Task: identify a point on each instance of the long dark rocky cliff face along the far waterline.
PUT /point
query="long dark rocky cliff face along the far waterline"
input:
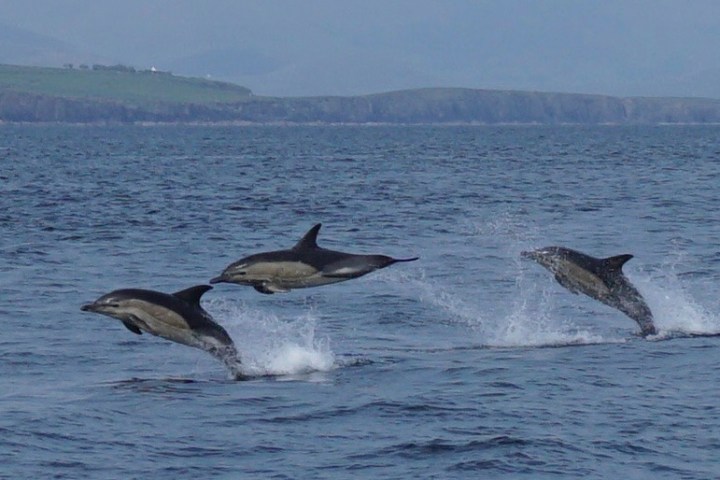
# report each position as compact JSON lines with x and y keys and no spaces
{"x":425,"y":106}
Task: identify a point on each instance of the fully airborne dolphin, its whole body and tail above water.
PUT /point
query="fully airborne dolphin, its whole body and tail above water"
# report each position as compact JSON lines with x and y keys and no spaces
{"x":304,"y":265}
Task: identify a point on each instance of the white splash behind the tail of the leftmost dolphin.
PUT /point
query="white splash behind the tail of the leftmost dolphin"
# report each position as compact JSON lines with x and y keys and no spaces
{"x":269,"y":345}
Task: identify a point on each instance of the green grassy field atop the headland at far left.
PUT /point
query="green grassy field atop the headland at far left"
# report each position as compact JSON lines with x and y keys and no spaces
{"x":118,"y":84}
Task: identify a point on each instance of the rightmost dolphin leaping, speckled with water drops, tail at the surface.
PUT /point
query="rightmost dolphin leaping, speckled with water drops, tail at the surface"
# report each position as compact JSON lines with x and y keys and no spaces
{"x":598,"y":278}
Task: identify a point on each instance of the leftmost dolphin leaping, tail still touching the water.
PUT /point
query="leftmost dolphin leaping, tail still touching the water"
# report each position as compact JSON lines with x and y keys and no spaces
{"x":177,"y":317}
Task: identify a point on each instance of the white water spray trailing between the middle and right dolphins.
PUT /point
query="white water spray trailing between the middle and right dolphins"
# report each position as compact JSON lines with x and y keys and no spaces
{"x":525,"y":314}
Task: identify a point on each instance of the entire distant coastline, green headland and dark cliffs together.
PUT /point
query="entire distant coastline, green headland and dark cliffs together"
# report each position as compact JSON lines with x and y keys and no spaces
{"x":120,"y":94}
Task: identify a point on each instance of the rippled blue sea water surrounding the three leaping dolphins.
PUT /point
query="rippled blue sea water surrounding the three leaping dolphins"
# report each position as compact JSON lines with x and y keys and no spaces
{"x":469,"y":363}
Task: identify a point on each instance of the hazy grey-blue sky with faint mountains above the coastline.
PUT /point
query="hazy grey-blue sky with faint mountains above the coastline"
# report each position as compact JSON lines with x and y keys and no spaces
{"x":349,"y":47}
